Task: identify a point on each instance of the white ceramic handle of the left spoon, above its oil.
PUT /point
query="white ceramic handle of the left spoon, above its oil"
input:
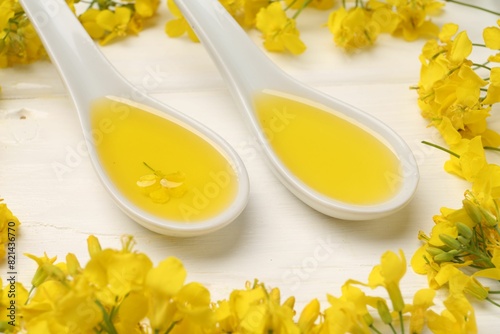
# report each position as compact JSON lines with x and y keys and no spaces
{"x":83,"y":68}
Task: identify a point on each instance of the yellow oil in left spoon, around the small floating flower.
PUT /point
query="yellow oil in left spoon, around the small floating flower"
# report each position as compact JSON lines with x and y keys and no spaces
{"x":129,"y":140}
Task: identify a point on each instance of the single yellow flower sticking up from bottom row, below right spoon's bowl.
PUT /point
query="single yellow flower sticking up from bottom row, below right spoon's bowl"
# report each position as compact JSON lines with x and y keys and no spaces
{"x":388,"y":274}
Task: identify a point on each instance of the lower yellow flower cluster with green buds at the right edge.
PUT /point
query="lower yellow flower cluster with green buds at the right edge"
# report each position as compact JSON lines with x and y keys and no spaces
{"x":468,"y":237}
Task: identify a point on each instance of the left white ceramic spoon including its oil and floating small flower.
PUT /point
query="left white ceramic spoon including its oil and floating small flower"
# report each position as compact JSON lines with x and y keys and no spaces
{"x":115,"y":118}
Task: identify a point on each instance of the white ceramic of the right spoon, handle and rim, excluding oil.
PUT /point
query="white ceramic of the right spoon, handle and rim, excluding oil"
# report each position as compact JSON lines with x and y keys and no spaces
{"x":249,"y":71}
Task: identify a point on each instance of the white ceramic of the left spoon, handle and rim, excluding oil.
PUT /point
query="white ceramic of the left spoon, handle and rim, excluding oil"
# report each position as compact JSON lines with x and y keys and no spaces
{"x":88,"y":77}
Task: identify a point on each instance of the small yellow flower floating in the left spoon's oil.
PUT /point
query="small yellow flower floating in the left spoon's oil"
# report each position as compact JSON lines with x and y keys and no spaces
{"x":161,"y":187}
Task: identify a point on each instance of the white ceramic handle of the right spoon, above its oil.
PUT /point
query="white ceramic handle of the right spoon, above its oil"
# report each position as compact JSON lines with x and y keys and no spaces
{"x":240,"y":60}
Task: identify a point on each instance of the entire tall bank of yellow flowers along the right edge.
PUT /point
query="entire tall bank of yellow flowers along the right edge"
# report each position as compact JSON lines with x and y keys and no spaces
{"x":456,"y":95}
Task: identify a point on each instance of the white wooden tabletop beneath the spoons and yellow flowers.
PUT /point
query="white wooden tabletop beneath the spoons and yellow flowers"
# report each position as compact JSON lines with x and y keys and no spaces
{"x":277,"y":239}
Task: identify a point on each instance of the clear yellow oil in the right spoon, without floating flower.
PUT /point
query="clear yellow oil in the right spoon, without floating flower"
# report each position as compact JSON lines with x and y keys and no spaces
{"x":329,"y":153}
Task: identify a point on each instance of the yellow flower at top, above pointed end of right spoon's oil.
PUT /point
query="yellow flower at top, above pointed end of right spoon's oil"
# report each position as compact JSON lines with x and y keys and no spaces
{"x":279,"y":31}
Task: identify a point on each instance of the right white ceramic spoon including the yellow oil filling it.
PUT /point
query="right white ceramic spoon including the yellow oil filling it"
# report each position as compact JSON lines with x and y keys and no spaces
{"x":250,"y":74}
